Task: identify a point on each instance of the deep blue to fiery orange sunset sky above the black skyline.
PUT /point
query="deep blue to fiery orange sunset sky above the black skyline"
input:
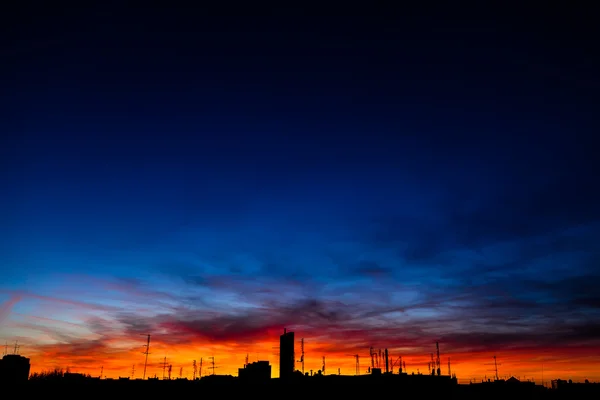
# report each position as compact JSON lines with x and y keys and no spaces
{"x":390,"y":179}
